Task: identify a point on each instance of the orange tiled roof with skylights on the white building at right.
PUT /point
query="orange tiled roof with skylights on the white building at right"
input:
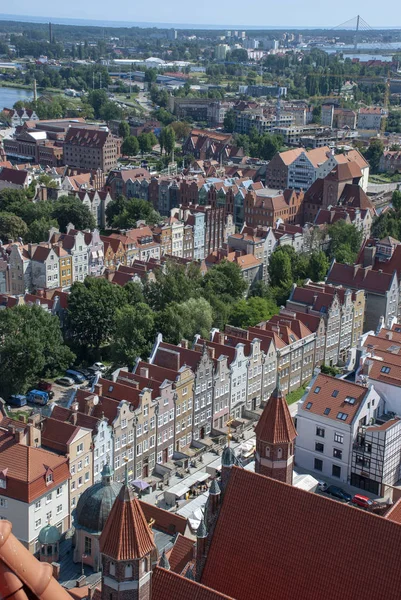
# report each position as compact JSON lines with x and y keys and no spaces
{"x":330,"y":397}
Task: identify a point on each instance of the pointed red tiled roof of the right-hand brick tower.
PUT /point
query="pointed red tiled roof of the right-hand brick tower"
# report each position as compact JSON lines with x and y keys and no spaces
{"x":275,"y":424}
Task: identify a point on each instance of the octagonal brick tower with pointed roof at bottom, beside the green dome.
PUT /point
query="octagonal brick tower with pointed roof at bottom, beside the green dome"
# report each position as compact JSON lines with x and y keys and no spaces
{"x":128,"y":550}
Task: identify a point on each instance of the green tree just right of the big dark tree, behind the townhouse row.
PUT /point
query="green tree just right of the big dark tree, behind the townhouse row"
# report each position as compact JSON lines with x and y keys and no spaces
{"x":134,"y":334}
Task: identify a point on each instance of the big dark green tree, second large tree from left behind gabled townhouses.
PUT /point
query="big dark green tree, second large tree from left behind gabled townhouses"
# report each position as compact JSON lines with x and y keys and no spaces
{"x":92,"y":306}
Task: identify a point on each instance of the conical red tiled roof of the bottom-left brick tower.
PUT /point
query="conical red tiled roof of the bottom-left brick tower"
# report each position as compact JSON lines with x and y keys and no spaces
{"x":126,"y":534}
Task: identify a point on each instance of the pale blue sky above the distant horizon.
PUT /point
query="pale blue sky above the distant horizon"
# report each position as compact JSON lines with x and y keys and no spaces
{"x":300,"y":13}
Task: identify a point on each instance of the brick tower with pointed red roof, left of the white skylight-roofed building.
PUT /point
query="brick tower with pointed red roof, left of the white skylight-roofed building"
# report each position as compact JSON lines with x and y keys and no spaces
{"x":275,"y":435}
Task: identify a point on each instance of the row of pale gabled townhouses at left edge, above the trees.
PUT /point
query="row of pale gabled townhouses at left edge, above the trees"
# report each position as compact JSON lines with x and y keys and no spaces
{"x":58,"y":263}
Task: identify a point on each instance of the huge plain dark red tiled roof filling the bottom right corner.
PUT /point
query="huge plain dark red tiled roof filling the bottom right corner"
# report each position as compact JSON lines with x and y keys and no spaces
{"x":274,"y":541}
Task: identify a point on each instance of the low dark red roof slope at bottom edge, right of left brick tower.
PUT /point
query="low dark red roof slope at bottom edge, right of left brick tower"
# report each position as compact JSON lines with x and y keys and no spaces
{"x":167,"y":585}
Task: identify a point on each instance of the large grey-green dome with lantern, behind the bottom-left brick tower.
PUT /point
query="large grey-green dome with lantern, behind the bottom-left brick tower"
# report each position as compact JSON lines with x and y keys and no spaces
{"x":95,"y":504}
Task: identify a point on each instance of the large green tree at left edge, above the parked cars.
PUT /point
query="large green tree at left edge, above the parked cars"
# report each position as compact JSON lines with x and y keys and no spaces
{"x":31,"y":346}
